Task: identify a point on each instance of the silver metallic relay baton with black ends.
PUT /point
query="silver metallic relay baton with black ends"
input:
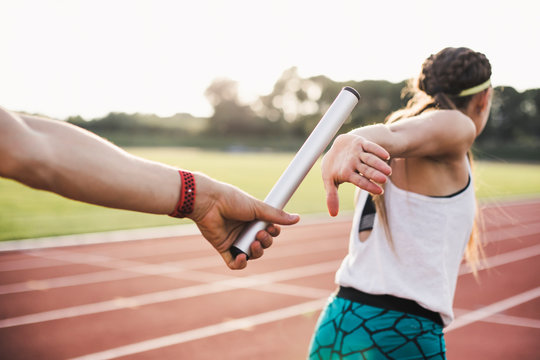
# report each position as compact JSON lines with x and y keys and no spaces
{"x":300,"y":165}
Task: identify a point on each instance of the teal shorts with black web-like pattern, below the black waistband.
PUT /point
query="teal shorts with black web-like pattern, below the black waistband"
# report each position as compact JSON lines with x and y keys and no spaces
{"x":351,"y":330}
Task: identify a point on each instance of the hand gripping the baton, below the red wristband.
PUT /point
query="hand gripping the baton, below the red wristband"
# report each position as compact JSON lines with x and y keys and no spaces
{"x":221,"y":212}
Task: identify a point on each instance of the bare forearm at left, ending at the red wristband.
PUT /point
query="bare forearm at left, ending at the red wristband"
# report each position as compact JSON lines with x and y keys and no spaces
{"x":65,"y":159}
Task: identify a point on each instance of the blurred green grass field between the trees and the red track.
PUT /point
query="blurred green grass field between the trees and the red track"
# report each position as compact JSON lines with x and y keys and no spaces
{"x":28,"y":213}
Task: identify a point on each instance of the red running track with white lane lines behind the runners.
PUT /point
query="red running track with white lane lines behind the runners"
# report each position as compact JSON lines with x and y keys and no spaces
{"x":172,"y":298}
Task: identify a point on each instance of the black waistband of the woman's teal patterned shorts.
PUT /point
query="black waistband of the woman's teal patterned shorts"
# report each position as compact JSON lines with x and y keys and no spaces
{"x":389,"y":302}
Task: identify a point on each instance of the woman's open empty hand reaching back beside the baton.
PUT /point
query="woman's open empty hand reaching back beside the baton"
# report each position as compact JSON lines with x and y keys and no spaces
{"x":356,"y":160}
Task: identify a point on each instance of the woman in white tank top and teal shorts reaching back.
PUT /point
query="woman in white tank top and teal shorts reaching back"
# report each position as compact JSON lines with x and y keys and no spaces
{"x":397,"y":283}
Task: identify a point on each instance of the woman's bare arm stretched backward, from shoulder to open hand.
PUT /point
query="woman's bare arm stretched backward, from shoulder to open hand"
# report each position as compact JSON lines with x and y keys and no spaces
{"x":359,"y":156}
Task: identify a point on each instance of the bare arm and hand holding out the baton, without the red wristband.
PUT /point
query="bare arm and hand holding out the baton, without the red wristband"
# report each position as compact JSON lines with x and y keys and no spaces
{"x":72,"y":162}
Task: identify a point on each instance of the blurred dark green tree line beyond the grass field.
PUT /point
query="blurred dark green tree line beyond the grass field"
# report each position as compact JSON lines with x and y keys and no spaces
{"x":286,"y":116}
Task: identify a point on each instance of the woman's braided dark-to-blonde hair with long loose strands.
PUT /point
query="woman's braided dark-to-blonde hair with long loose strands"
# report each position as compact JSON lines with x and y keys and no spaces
{"x":443,"y":76}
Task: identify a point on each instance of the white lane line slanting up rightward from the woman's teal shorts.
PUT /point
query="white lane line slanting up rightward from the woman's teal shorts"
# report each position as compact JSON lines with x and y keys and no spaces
{"x":487,"y":311}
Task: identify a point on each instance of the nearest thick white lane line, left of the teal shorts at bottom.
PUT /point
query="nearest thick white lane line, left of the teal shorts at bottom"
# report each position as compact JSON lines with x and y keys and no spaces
{"x":207,"y":331}
